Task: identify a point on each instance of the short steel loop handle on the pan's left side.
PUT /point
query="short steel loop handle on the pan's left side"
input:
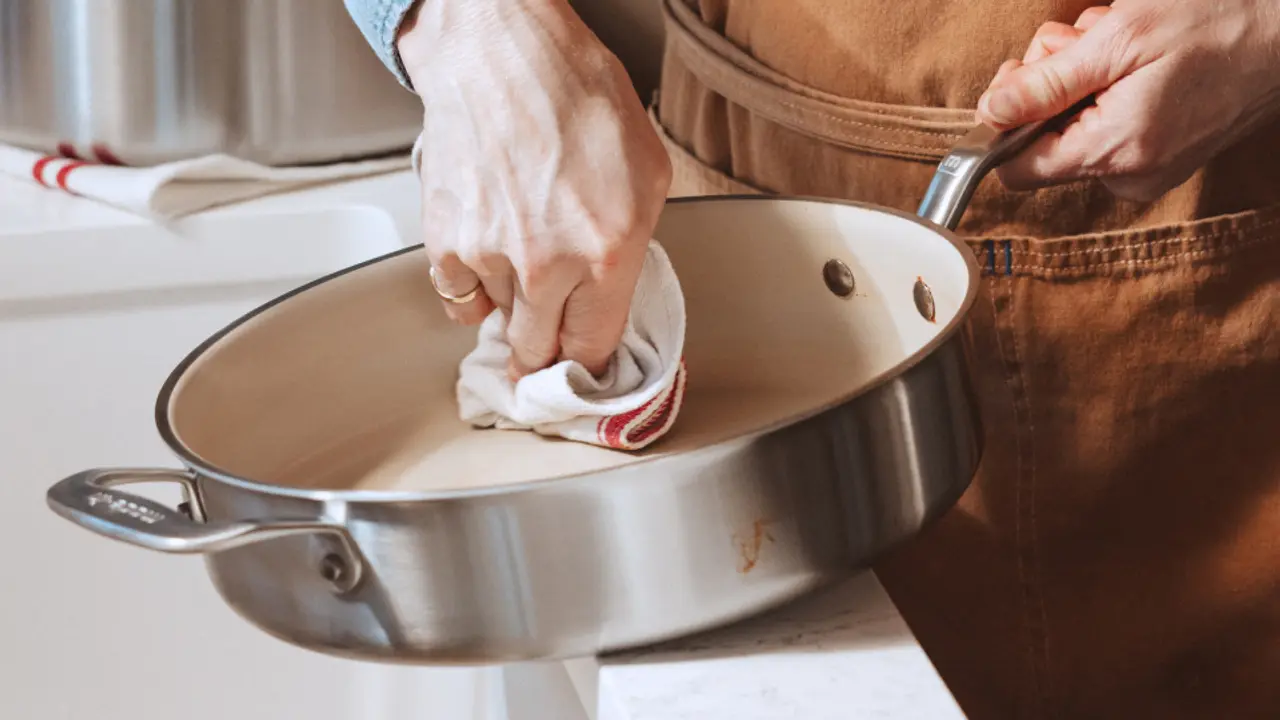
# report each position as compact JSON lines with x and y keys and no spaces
{"x":92,"y":500}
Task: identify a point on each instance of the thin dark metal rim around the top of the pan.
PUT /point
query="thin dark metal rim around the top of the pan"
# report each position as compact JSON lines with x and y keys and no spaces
{"x":198,"y":464}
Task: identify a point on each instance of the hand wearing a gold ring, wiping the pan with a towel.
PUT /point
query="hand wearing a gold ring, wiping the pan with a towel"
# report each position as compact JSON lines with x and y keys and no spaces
{"x":542,"y":177}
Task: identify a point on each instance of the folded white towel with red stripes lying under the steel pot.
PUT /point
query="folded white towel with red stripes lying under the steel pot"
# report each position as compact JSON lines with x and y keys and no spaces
{"x":182,"y":188}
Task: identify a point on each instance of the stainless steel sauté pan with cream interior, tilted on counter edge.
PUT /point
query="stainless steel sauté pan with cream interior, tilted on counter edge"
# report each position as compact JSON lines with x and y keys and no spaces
{"x":829,"y":417}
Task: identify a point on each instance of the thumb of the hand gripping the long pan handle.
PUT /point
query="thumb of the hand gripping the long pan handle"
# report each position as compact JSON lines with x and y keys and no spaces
{"x":1041,"y":90}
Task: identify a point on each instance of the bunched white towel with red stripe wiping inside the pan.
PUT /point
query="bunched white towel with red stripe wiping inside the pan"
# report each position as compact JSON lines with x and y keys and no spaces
{"x":634,"y":404}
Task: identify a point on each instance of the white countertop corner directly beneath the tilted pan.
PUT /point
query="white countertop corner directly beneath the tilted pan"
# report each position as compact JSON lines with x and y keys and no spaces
{"x":842,"y":654}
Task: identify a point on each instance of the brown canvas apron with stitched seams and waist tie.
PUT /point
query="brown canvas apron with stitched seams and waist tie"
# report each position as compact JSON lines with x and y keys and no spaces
{"x":1119,"y":553}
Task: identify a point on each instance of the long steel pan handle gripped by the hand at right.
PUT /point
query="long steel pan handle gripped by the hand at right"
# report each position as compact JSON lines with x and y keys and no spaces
{"x":977,"y":154}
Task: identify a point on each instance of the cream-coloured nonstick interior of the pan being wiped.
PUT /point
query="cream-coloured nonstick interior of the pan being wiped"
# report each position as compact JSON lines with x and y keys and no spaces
{"x":350,"y":385}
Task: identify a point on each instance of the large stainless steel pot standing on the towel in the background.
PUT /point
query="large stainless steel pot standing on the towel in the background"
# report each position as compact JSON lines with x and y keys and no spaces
{"x":149,"y":81}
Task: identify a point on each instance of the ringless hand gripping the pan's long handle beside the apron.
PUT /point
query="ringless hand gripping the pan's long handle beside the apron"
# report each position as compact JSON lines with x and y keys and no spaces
{"x":1174,"y":84}
